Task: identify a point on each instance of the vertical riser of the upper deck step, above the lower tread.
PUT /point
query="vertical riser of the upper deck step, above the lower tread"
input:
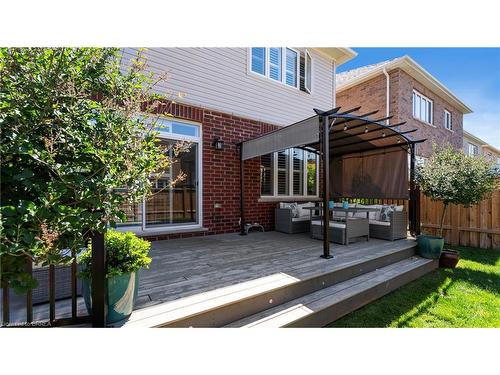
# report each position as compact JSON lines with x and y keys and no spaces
{"x":252,"y":305}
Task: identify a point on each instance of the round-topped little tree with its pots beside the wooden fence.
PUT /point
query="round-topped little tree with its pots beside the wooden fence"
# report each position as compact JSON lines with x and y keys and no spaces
{"x":452,"y":177}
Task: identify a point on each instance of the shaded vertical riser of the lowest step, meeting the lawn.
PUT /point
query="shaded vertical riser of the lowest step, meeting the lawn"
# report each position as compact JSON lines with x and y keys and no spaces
{"x":344,"y":307}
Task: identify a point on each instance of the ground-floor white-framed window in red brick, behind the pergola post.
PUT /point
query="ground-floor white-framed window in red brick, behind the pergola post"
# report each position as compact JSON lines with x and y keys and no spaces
{"x":292,"y":172}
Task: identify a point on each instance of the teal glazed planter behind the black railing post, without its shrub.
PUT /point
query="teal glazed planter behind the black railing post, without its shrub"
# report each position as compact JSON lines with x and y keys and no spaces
{"x":121,"y":296}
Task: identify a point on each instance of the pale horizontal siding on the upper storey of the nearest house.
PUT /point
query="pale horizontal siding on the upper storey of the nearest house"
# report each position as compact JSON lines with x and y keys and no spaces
{"x":221,"y":79}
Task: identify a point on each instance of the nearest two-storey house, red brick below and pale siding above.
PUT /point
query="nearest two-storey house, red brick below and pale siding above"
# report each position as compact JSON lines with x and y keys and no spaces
{"x":224,"y":96}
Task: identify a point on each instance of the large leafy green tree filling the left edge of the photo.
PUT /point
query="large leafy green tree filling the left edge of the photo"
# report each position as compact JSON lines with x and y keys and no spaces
{"x":76,"y":145}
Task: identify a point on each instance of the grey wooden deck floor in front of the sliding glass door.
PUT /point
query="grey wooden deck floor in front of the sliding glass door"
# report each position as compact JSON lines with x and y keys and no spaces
{"x":187,"y":267}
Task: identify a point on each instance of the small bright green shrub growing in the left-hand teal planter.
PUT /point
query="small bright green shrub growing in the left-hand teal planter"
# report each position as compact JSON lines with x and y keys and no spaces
{"x":125,"y":253}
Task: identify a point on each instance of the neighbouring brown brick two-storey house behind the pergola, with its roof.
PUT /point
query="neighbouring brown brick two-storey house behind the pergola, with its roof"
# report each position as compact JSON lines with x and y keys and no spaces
{"x":403,"y":89}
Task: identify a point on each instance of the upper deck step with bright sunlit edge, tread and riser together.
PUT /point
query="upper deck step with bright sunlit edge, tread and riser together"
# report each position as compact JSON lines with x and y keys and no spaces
{"x":222,"y":306}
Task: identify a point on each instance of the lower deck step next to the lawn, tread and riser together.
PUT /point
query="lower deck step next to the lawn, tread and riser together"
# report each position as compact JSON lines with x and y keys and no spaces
{"x":329,"y":304}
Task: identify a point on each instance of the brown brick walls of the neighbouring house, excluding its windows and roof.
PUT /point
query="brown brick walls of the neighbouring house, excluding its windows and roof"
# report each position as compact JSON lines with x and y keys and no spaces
{"x":370,"y":95}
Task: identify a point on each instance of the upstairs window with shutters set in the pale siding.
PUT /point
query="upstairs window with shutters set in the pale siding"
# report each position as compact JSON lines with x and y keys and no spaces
{"x":285,"y":65}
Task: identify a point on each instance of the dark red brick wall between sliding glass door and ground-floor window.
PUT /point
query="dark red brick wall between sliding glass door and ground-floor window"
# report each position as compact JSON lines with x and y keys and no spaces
{"x":221,"y":172}
